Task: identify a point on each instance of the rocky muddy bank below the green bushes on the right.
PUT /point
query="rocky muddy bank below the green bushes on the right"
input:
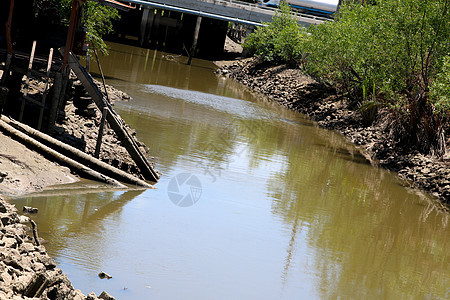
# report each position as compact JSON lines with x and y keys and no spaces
{"x":292,"y":89}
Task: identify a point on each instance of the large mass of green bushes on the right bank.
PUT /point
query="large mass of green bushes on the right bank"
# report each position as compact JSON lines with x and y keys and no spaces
{"x":395,"y":46}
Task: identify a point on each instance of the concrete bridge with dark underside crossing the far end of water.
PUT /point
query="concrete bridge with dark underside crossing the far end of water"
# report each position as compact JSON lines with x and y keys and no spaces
{"x":193,"y":27}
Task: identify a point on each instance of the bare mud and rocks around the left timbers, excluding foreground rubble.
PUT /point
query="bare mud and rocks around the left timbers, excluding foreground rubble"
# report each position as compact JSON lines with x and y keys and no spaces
{"x":23,"y":171}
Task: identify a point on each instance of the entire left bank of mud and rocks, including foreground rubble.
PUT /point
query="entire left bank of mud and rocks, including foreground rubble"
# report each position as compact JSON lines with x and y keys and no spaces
{"x":26,"y":270}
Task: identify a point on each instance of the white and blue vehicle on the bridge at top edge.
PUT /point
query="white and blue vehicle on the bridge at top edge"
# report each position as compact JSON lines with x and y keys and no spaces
{"x":324,"y":8}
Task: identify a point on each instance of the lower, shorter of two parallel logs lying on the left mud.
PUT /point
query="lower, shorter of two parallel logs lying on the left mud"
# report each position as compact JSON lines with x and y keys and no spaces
{"x":64,"y":160}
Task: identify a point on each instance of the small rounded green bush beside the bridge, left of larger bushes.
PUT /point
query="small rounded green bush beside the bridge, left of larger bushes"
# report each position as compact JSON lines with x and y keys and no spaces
{"x":278,"y":41}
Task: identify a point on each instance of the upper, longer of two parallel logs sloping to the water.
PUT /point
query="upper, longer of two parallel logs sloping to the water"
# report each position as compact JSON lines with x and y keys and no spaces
{"x":77,"y":155}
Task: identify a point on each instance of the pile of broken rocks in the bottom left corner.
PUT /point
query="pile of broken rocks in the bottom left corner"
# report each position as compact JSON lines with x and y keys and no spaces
{"x":26,"y":270}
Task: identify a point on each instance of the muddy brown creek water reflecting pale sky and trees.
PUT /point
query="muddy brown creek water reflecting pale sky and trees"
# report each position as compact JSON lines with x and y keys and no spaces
{"x":255,"y":202}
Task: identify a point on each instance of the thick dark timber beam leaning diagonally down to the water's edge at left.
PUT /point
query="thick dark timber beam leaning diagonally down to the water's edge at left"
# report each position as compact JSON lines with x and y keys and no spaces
{"x":113,"y":119}
